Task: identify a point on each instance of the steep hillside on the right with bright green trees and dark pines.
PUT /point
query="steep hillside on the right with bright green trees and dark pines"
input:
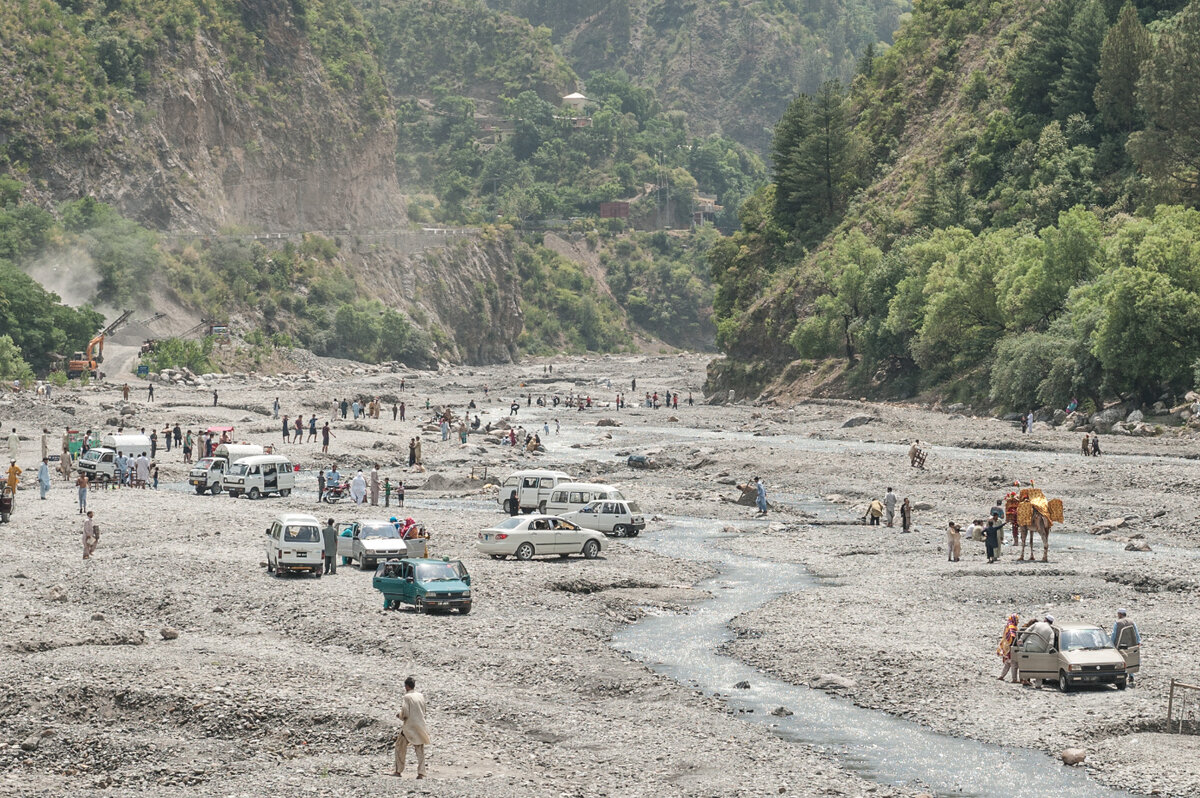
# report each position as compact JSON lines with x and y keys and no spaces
{"x":1001,"y":209}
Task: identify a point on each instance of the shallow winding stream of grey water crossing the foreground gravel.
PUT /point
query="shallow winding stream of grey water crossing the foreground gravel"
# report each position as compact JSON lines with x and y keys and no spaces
{"x":874,"y":745}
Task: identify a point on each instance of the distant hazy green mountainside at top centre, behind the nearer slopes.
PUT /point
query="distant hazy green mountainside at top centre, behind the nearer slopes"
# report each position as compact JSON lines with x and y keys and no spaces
{"x":731,"y":67}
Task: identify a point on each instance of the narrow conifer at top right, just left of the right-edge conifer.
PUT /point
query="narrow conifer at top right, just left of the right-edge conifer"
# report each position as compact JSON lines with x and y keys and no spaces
{"x":1126,"y":49}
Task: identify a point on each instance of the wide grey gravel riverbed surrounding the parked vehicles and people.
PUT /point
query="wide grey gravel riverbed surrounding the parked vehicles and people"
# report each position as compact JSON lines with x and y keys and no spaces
{"x":172,"y":664}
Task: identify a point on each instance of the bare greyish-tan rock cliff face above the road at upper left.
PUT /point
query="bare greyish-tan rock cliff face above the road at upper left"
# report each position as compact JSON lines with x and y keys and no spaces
{"x":203,"y":153}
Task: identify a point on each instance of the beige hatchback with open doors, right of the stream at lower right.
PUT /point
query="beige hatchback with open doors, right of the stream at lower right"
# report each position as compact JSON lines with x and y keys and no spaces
{"x":1079,"y":655}
